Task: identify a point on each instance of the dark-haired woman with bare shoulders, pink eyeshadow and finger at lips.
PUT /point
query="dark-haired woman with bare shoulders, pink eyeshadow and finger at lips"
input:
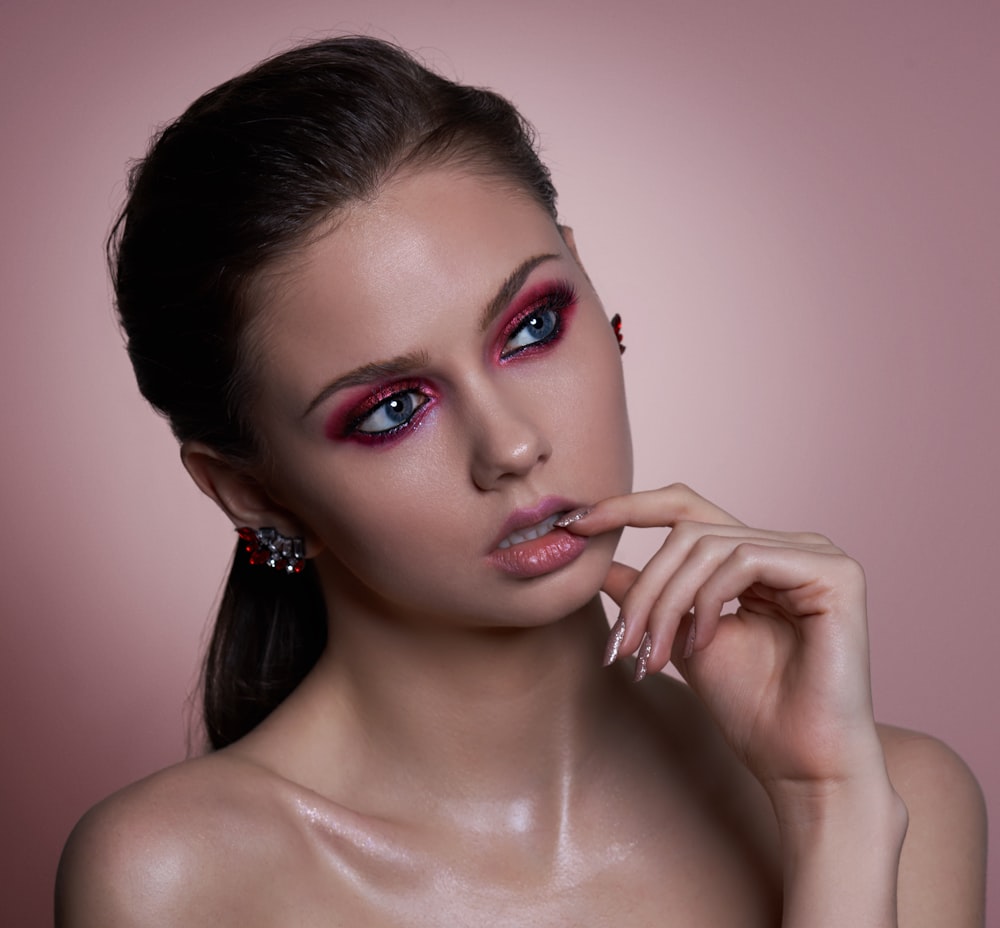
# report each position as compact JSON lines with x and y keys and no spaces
{"x":343,"y":282}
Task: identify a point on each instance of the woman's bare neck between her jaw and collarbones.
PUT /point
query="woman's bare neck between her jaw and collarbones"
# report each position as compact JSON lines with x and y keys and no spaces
{"x":475,"y":716}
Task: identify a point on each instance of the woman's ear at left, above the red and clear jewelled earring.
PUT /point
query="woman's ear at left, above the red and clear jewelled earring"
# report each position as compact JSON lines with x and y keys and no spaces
{"x":238,"y":493}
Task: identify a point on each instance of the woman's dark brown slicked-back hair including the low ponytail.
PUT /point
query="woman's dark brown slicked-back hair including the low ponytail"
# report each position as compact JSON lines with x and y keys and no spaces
{"x":239,"y":181}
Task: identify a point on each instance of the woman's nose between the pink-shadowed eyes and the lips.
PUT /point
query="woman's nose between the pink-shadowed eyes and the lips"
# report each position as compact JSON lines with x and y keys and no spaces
{"x":507,"y":442}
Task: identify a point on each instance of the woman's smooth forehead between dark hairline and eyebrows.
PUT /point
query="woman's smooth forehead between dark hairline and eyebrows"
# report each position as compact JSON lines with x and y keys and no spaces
{"x":434,"y":240}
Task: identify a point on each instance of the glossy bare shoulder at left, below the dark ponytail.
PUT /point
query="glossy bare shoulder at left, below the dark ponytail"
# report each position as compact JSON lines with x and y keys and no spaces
{"x":161,"y":851}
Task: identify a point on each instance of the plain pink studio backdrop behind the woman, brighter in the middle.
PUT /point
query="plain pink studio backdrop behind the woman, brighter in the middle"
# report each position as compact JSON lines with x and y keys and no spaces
{"x":796,"y":207}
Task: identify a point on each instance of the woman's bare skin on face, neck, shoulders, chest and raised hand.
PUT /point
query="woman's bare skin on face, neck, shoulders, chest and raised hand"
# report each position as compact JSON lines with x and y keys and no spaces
{"x":459,"y":755}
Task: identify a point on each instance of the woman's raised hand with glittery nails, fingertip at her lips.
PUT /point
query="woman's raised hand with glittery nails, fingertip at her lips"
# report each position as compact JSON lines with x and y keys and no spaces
{"x":786,"y":675}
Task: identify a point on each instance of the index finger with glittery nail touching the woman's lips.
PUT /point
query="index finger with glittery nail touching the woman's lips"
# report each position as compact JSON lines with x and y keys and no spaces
{"x":664,"y":507}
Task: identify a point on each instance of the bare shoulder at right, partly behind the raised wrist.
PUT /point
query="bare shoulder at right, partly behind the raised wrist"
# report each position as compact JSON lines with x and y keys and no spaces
{"x":943,"y":866}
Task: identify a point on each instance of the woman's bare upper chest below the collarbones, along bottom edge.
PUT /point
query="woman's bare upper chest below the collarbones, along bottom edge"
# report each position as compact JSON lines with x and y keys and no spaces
{"x":680,"y":875}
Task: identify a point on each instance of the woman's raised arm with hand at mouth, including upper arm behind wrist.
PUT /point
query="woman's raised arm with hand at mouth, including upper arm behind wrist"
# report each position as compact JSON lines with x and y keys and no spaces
{"x":786,"y":678}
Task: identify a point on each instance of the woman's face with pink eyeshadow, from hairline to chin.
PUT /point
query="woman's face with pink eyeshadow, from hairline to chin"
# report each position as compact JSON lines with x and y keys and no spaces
{"x":438,"y":383}
